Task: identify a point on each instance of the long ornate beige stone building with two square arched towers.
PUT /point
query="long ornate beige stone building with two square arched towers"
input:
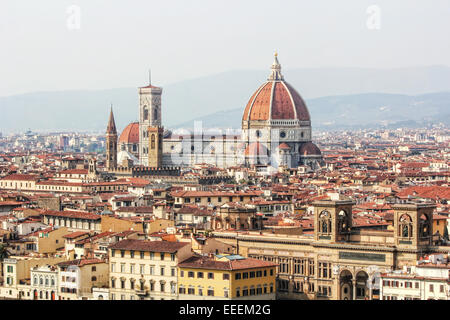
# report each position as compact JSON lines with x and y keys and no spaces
{"x":337,"y":261}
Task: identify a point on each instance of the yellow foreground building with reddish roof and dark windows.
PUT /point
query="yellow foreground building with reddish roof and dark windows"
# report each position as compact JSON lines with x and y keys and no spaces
{"x":226,"y":277}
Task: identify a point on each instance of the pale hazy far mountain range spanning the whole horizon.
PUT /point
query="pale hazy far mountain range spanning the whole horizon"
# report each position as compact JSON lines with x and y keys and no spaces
{"x":228,"y":91}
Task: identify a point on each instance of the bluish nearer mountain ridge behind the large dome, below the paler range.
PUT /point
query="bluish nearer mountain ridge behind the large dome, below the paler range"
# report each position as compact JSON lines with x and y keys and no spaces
{"x":356,"y":111}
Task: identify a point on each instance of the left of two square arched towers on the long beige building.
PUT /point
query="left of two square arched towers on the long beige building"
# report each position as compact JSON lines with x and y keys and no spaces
{"x":332,"y":220}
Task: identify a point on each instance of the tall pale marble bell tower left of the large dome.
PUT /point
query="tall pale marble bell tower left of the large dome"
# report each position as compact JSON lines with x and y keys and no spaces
{"x":149,"y":116}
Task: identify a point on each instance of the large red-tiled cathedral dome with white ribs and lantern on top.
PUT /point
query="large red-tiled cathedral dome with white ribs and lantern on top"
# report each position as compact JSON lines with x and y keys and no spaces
{"x":276,"y":100}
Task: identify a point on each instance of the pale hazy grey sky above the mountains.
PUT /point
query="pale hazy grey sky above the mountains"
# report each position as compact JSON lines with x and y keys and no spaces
{"x":42,"y":48}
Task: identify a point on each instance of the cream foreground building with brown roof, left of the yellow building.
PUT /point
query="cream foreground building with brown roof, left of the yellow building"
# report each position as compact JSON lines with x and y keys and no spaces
{"x":145,"y":270}
